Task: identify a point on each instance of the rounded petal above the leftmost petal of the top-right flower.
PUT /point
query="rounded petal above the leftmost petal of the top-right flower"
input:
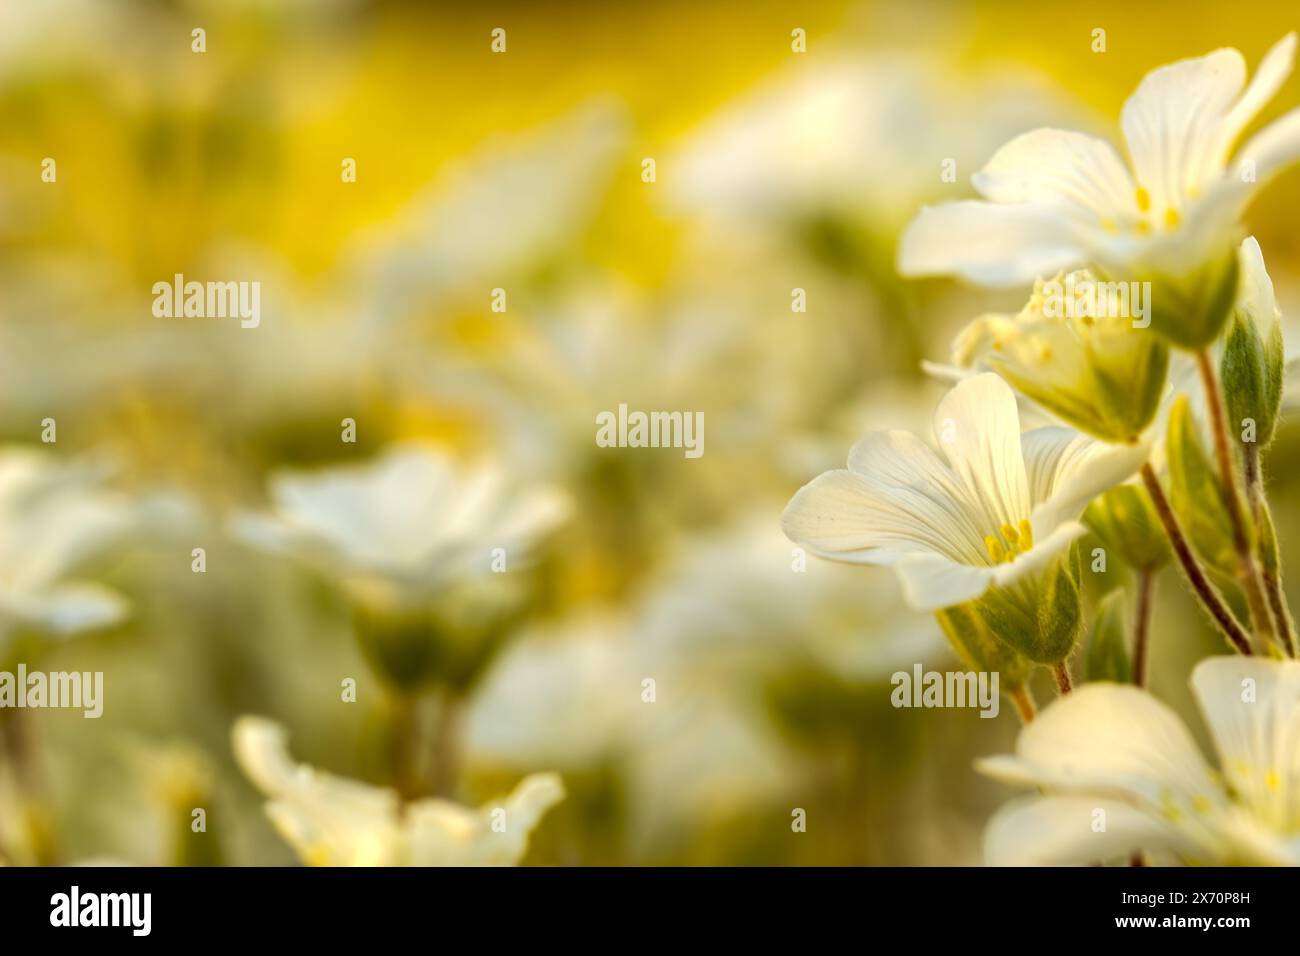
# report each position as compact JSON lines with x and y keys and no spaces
{"x":1063,"y":168}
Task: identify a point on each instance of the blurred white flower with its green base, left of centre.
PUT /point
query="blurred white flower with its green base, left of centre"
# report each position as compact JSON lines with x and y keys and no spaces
{"x":427,"y":552}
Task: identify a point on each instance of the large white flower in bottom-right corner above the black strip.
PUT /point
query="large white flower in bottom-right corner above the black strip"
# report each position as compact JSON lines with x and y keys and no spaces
{"x":1115,"y":755}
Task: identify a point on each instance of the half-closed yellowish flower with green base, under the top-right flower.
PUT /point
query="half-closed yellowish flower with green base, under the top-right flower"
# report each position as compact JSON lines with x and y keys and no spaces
{"x":1076,"y":354}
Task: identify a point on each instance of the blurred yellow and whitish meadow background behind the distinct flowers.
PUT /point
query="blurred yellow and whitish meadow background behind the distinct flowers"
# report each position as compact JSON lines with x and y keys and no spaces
{"x":525,"y":171}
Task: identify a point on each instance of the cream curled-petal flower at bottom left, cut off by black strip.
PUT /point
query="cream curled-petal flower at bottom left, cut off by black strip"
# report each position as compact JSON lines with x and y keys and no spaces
{"x":331,"y":821}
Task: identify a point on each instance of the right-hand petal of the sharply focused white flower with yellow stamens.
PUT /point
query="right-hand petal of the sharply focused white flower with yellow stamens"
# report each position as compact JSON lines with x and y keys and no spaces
{"x":1068,"y":470}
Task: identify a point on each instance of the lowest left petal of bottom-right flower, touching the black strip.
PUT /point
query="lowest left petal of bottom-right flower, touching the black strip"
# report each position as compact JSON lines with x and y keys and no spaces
{"x":1063,"y":830}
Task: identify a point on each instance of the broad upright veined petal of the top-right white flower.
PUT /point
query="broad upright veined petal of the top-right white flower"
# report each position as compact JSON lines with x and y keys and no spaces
{"x":1172,"y":124}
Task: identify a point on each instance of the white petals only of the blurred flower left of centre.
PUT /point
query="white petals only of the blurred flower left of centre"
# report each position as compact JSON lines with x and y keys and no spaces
{"x":413,"y":521}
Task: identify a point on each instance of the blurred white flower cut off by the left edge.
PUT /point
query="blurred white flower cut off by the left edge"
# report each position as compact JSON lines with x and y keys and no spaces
{"x":53,"y":518}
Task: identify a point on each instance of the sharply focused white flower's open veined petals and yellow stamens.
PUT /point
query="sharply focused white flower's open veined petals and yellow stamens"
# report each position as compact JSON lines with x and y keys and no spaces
{"x":1002,"y":507}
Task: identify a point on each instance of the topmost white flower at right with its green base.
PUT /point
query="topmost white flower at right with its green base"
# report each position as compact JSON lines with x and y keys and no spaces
{"x":1060,"y":201}
